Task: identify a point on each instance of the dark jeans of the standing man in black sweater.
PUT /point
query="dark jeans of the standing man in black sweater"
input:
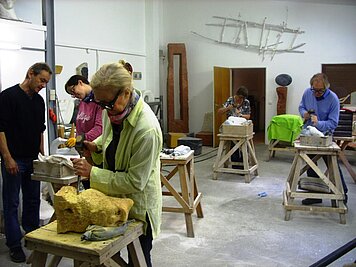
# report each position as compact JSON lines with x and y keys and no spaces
{"x":30,"y":201}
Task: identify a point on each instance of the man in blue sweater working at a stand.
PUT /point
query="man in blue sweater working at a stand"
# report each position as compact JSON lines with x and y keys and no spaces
{"x":325,"y":106}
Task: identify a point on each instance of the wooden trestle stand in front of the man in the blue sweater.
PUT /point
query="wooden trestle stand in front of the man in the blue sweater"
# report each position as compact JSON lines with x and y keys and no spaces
{"x":332,"y":181}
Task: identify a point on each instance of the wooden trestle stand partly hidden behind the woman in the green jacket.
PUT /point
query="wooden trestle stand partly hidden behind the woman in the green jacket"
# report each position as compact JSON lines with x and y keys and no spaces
{"x":189,"y":198}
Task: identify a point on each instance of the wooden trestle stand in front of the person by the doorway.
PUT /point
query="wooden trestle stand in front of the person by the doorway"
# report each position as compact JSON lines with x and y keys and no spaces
{"x":245,"y":144}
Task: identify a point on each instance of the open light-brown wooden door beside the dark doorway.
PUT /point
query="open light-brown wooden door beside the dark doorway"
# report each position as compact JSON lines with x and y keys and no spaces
{"x":222,"y":90}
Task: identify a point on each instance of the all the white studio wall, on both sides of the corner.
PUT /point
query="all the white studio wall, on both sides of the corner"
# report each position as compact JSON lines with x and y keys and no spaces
{"x":136,"y":29}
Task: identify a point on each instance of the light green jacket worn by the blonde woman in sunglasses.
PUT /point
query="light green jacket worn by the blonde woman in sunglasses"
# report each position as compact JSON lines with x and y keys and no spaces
{"x":137,"y":164}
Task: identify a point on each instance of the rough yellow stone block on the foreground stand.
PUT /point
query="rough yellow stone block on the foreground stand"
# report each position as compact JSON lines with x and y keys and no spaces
{"x":74,"y":212}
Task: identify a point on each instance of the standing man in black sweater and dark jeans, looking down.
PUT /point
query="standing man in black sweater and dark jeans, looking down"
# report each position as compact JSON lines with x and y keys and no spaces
{"x":22,"y":123}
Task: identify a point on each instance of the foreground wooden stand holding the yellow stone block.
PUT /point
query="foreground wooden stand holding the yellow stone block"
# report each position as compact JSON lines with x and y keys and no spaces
{"x":46,"y":240}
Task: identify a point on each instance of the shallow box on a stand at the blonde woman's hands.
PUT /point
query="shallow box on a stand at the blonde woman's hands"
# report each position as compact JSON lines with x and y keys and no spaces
{"x":51,"y":169}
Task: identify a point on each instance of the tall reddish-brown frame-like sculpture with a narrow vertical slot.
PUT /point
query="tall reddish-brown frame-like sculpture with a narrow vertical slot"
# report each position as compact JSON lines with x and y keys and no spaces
{"x":181,"y":124}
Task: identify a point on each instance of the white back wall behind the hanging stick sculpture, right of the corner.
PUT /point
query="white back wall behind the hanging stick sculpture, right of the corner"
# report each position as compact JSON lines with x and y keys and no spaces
{"x":330,"y":37}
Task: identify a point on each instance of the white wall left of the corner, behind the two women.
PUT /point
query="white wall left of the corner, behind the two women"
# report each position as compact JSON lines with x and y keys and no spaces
{"x":96,"y":32}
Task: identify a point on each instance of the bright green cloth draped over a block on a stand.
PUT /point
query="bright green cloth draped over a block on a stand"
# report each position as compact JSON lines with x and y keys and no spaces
{"x":286,"y":127}
